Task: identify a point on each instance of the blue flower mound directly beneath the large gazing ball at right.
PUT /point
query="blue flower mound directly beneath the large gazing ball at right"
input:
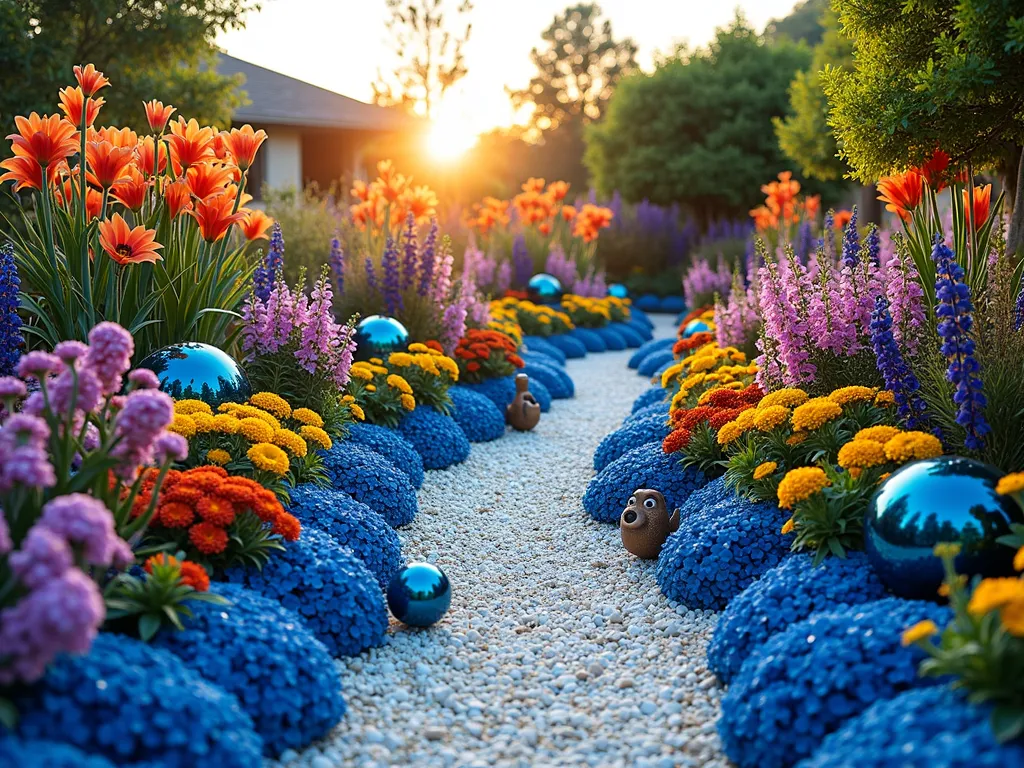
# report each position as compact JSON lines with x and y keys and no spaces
{"x":789,"y":593}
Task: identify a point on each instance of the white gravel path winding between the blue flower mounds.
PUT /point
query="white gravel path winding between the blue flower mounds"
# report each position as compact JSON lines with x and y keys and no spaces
{"x":559,"y":650}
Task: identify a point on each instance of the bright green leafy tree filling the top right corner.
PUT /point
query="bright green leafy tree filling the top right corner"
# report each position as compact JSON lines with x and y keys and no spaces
{"x":928,"y":75}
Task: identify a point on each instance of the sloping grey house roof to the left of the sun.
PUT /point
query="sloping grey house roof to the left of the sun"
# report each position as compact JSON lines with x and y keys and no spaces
{"x":279,"y":100}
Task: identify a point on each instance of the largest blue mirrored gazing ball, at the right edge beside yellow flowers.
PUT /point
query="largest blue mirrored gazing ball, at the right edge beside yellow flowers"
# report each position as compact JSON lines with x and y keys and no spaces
{"x":947,"y":499}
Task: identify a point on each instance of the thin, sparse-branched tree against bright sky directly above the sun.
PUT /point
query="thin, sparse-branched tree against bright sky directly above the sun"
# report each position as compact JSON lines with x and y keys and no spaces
{"x":431,"y":58}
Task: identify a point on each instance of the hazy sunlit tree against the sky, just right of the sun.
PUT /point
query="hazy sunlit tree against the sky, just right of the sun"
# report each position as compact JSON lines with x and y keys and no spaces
{"x":578,"y":72}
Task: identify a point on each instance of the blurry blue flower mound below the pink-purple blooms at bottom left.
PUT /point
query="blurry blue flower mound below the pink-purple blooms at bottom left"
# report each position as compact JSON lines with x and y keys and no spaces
{"x":132,"y":704}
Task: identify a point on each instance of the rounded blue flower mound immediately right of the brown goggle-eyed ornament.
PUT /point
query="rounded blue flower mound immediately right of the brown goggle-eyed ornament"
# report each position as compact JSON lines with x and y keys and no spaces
{"x":720,"y":550}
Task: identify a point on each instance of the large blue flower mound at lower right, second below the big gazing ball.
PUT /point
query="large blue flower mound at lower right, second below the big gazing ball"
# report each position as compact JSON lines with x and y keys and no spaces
{"x":809,"y":679}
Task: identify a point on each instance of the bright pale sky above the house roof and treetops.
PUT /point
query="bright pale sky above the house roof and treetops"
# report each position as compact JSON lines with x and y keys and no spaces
{"x":340,"y":45}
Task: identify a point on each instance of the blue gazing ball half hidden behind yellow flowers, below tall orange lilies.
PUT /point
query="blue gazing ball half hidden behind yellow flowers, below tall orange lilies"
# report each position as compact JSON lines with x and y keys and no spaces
{"x":200,"y":372}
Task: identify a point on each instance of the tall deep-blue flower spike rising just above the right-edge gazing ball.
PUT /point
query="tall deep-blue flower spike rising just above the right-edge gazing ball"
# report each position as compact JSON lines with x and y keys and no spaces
{"x":954,"y":310}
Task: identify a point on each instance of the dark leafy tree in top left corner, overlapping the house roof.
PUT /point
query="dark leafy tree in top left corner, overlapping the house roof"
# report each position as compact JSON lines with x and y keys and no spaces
{"x":149,"y":49}
